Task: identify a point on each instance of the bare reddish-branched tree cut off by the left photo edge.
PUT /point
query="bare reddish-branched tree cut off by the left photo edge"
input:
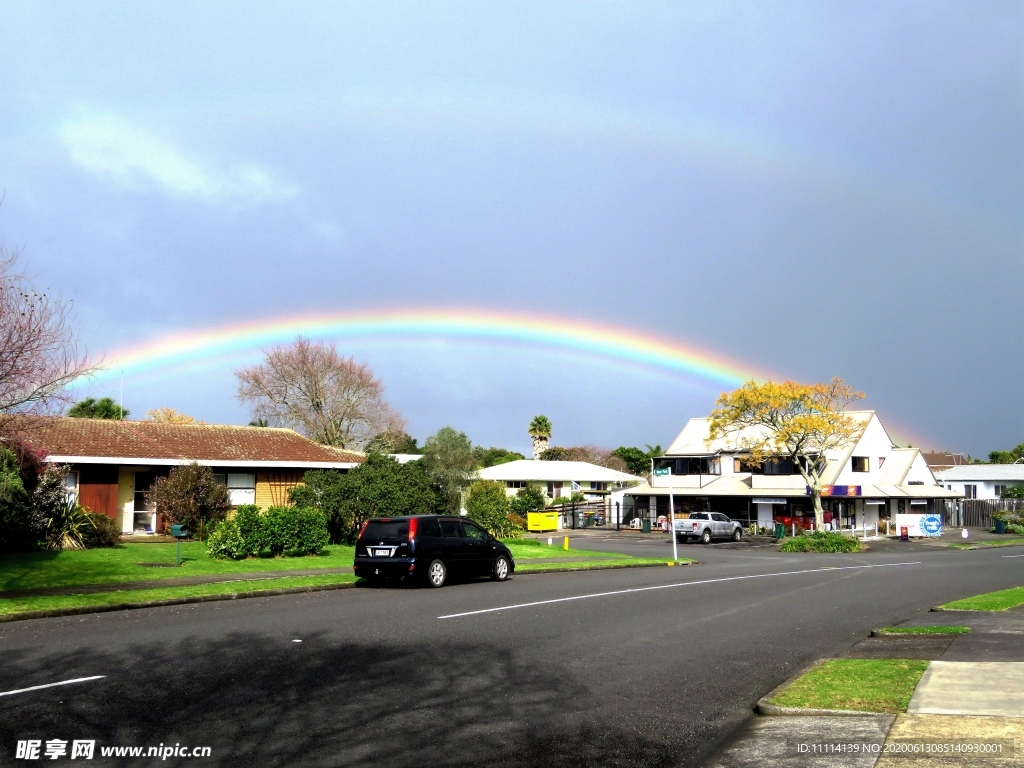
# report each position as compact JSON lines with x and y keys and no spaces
{"x":39,"y":347}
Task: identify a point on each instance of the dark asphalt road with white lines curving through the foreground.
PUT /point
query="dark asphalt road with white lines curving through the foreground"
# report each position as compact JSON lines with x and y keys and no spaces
{"x":657,"y":673}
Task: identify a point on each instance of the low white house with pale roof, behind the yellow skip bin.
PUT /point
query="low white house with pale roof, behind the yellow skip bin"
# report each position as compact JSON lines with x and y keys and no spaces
{"x":559,"y":480}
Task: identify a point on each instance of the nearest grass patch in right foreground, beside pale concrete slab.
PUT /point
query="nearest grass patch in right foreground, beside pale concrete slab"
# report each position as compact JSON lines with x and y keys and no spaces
{"x":857,"y":685}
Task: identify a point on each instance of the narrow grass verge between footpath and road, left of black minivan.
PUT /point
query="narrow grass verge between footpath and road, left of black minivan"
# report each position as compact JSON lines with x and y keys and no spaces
{"x":49,"y":603}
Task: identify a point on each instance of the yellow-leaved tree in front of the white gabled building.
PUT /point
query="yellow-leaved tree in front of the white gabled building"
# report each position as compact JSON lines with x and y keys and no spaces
{"x":800,"y":422}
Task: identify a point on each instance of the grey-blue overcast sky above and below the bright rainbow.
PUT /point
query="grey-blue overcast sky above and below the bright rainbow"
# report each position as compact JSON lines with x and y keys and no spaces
{"x":816,"y":190}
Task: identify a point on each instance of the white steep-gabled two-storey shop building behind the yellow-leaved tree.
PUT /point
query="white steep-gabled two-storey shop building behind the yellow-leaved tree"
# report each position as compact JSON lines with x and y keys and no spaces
{"x":867,"y":483}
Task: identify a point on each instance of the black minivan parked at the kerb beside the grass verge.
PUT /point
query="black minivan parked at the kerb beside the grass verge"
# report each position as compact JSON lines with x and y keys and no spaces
{"x":430,"y":548}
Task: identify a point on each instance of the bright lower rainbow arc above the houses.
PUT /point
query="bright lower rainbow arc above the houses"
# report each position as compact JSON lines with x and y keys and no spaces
{"x":615,"y":345}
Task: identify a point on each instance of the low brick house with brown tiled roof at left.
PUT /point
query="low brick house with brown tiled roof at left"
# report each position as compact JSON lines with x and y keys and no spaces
{"x":114,"y":463}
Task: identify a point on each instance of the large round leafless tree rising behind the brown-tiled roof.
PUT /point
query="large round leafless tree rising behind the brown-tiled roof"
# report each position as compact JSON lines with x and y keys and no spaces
{"x":313,"y":390}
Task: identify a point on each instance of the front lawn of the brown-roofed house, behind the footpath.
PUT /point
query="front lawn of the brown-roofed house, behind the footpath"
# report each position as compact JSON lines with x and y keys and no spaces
{"x":22,"y":571}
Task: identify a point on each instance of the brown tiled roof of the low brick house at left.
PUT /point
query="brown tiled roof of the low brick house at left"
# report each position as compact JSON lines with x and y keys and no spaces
{"x":60,"y":436}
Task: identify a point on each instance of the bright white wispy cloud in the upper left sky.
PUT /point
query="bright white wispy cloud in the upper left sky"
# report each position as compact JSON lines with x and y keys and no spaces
{"x":136,"y":158}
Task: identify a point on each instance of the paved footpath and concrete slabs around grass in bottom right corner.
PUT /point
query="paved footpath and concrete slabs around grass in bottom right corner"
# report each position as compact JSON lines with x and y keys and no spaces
{"x":972,"y":694}
